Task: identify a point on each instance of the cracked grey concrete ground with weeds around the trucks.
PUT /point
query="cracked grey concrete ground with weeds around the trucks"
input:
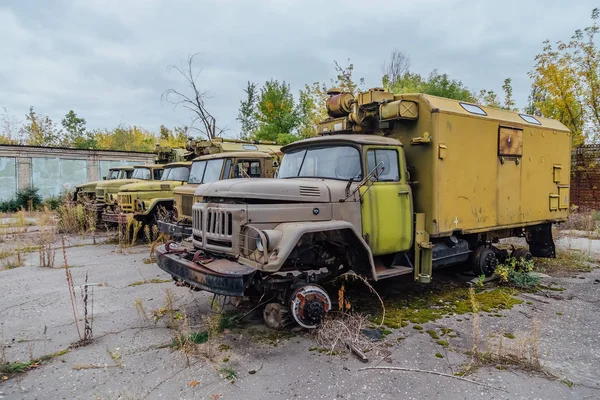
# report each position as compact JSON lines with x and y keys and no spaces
{"x":36,"y":319}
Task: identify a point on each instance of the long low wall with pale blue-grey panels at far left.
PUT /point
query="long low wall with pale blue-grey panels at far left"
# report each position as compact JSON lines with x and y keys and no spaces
{"x":53,"y":169}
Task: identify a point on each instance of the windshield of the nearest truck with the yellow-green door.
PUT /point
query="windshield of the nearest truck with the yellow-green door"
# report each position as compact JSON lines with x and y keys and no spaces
{"x":331,"y":162}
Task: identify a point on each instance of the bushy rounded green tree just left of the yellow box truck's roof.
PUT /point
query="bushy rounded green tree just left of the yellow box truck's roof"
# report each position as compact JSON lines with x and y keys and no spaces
{"x":276,"y":112}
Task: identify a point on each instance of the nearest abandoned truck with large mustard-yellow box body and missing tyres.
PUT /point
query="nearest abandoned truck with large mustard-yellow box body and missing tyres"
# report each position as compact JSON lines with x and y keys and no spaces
{"x":395,"y":184}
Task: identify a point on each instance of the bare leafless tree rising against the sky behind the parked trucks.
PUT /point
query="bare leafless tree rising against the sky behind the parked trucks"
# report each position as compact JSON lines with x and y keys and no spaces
{"x":195,"y":101}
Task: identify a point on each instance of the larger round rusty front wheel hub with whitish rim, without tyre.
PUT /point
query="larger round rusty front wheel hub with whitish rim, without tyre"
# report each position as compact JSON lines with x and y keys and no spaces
{"x":309,"y":304}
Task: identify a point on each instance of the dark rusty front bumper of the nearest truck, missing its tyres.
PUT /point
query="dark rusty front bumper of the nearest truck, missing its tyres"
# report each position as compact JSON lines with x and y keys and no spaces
{"x":219,"y":276}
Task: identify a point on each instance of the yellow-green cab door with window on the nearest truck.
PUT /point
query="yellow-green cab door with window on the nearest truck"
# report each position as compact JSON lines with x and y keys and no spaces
{"x":387,"y":202}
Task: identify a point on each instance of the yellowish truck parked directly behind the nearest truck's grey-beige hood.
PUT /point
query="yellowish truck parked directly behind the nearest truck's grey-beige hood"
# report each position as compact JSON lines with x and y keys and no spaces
{"x":207,"y":169}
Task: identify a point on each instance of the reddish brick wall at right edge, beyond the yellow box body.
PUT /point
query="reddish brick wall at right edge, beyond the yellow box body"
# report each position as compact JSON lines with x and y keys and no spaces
{"x":585,"y":176}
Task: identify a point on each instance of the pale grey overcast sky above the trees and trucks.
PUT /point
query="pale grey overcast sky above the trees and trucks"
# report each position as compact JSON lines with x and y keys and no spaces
{"x":108,"y":59}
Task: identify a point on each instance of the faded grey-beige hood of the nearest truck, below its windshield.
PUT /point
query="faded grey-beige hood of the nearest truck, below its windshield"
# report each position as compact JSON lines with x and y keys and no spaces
{"x":297,"y":190}
